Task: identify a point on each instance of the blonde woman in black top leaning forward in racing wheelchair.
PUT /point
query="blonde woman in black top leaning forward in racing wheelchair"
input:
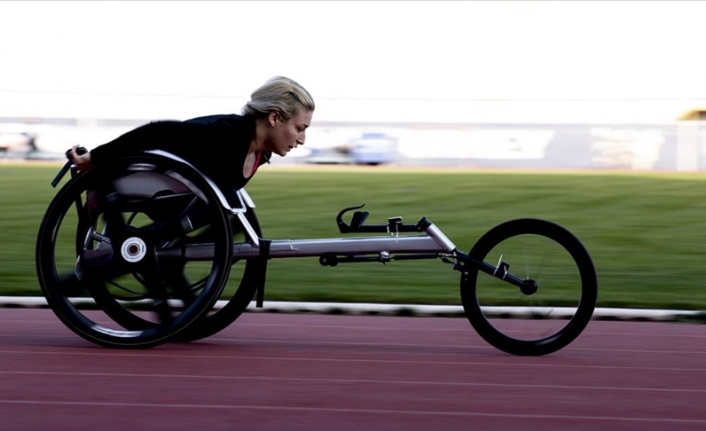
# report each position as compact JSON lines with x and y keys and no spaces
{"x":227,"y":148}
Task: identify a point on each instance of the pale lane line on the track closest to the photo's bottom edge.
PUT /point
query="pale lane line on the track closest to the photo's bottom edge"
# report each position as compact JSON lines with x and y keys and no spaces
{"x":358,"y":411}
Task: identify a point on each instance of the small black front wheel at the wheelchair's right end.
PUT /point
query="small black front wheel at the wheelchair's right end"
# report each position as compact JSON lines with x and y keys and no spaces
{"x":555,"y":303}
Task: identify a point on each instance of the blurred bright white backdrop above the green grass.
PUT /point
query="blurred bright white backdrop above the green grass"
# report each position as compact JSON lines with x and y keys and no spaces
{"x":615,"y":85}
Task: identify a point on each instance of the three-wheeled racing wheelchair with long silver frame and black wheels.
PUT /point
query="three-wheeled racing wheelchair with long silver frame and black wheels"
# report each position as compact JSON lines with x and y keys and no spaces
{"x":138,"y":253}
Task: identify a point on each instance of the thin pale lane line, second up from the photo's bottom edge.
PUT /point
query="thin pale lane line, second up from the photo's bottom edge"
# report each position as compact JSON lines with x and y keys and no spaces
{"x":357,"y":381}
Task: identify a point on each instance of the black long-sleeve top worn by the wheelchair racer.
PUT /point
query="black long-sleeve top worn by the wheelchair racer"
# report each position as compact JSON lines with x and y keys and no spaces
{"x":217,"y":145}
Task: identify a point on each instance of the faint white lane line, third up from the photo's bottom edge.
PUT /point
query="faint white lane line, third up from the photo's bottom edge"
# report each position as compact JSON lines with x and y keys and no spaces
{"x":53,"y":355}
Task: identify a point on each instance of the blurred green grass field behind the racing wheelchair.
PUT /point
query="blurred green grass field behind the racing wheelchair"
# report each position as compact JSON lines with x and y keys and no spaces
{"x":645,"y":232}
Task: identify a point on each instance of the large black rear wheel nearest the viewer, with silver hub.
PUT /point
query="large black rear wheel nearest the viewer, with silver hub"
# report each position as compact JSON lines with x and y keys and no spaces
{"x":106,"y":247}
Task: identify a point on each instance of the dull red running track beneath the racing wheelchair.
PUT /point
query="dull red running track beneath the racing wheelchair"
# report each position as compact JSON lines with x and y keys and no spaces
{"x":325,"y":372}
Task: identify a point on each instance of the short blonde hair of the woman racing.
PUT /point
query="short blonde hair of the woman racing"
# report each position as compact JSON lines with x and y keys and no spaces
{"x":279,"y":94}
